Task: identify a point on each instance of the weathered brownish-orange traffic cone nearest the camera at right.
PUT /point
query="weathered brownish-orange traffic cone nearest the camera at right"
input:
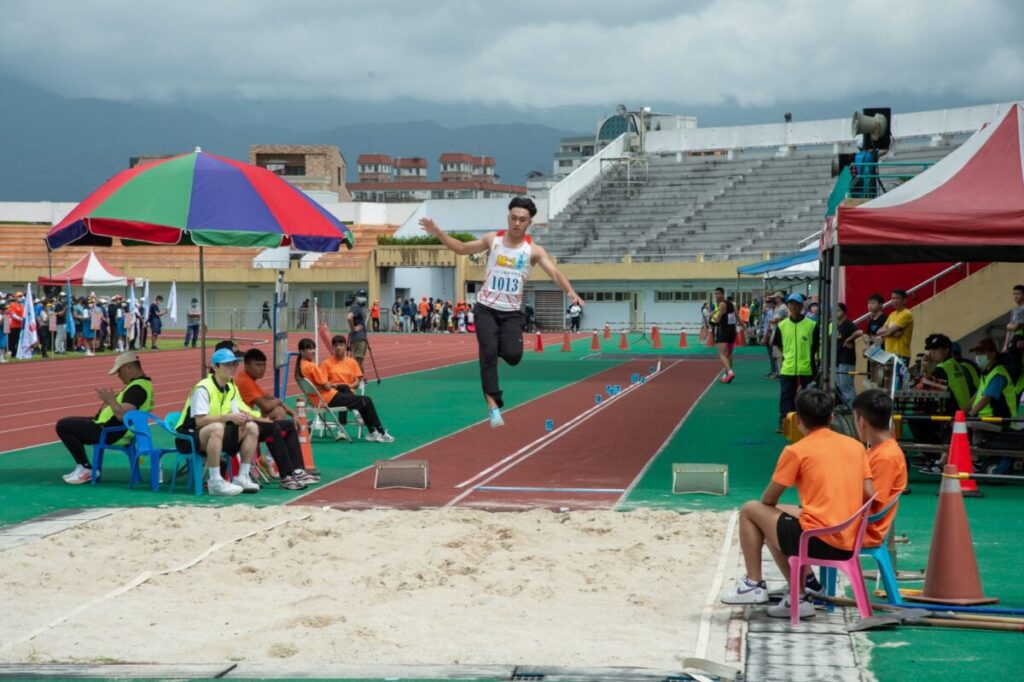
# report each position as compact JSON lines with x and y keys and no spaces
{"x":952,"y":577}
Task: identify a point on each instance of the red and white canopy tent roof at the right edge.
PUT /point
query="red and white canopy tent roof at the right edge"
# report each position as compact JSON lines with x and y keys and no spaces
{"x":968,"y":207}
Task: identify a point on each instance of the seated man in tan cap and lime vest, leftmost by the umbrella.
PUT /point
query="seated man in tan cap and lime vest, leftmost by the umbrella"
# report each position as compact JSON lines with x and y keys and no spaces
{"x":76,"y":433}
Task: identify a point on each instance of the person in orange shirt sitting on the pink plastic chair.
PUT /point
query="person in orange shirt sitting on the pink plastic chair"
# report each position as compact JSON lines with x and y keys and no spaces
{"x":833,"y":479}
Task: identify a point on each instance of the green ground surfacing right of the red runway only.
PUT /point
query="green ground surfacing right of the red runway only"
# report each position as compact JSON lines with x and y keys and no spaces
{"x":735,"y":424}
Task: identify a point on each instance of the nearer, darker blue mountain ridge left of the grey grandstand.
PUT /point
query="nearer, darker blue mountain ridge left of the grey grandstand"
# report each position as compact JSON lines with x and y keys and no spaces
{"x":60,"y":149}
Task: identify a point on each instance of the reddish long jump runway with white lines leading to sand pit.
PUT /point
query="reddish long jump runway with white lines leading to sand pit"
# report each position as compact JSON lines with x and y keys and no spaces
{"x":606,"y":449}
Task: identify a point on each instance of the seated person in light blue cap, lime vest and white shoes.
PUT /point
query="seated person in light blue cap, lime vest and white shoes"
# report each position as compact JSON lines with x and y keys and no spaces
{"x":220,"y":421}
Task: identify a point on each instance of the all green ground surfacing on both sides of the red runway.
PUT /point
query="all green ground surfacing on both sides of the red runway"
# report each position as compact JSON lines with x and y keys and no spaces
{"x":734,"y":424}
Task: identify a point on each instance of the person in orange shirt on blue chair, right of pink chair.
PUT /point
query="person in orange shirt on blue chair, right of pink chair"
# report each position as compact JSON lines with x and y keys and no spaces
{"x":873,"y":412}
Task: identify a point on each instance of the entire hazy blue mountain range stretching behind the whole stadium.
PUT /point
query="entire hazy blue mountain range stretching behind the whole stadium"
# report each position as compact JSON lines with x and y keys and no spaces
{"x":60,"y":149}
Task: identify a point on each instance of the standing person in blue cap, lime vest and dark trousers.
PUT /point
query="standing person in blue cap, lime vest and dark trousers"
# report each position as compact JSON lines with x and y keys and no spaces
{"x":798,"y":338}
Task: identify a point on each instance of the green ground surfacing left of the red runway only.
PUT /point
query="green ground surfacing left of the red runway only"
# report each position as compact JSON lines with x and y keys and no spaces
{"x":417,"y":409}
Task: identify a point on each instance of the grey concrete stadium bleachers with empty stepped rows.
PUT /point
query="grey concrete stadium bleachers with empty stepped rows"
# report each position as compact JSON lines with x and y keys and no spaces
{"x":703,"y":208}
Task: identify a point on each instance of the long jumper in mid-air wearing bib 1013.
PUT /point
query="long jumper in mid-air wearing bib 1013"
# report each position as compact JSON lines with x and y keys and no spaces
{"x":498,"y":313}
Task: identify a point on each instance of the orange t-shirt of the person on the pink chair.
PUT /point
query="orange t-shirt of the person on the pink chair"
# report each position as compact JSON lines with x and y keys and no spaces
{"x":829,"y":471}
